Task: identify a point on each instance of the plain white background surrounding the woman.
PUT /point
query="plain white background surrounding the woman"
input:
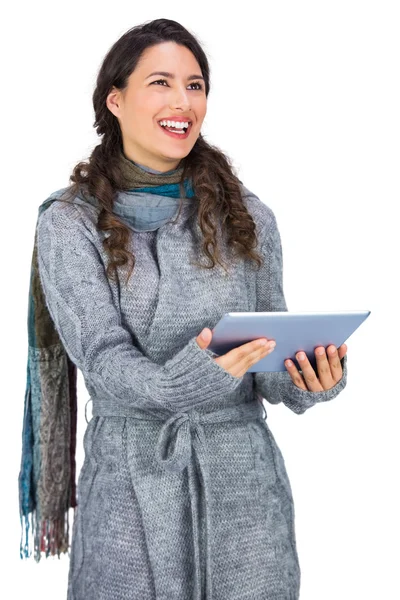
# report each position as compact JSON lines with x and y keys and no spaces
{"x":305,"y":101}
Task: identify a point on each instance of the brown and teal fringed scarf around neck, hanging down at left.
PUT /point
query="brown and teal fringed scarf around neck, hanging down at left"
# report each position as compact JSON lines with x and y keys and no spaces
{"x":47,"y":478}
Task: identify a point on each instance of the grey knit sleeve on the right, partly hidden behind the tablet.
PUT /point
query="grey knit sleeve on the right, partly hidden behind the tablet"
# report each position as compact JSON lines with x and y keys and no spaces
{"x":278,"y":386}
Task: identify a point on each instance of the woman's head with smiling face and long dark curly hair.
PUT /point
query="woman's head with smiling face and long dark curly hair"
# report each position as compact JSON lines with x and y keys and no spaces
{"x":158,"y":72}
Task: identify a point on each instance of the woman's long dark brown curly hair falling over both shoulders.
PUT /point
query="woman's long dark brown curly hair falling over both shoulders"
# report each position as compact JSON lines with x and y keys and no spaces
{"x":215,"y":185}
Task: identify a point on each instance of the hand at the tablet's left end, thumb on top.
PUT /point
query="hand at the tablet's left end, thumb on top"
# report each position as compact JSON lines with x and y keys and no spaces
{"x":240,"y":359}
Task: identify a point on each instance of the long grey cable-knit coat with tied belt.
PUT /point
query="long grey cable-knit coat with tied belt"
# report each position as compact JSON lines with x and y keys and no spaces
{"x":188,"y":505}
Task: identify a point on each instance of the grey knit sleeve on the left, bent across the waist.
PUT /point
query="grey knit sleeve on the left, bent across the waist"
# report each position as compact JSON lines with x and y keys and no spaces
{"x":80,"y":302}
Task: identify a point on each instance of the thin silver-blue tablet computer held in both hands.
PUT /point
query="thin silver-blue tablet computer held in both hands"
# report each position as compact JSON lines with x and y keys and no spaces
{"x":292,"y":332}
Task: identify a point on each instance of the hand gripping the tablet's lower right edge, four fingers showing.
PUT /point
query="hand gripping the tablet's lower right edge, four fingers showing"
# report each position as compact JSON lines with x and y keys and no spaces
{"x":329,"y":369}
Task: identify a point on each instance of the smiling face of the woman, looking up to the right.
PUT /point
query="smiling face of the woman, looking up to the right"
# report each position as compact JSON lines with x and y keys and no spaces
{"x":151,"y":98}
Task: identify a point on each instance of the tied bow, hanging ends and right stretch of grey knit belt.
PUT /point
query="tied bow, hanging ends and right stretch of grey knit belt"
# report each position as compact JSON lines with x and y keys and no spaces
{"x":186,"y":430}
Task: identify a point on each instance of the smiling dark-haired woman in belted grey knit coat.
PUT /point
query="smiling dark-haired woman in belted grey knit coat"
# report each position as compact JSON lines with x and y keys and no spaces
{"x":183,"y":493}
